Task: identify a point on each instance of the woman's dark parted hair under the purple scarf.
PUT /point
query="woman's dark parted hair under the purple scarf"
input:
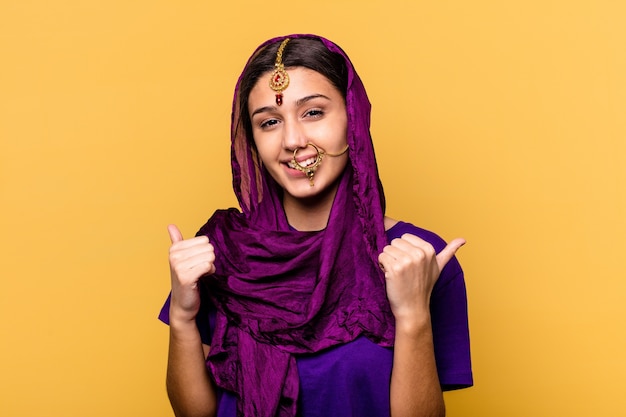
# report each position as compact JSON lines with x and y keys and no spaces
{"x":299,"y":52}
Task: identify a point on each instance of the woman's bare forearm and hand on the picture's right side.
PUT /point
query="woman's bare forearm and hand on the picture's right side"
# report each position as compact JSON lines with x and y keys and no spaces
{"x":411,"y":269}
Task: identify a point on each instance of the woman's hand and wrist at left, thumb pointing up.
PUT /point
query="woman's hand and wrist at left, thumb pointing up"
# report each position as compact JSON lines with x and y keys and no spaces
{"x":190,"y":259}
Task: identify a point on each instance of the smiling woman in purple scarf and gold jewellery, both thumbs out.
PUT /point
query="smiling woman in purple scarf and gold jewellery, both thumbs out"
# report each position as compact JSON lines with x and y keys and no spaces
{"x":310,"y":301}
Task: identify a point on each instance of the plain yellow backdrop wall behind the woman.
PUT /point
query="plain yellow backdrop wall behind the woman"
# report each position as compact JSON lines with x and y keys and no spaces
{"x":499,"y":121}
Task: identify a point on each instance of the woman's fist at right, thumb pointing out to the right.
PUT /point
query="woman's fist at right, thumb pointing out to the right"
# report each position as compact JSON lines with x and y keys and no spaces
{"x":411,"y":269}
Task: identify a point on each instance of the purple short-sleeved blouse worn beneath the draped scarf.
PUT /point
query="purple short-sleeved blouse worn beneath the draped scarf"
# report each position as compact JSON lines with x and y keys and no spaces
{"x":353,"y":379}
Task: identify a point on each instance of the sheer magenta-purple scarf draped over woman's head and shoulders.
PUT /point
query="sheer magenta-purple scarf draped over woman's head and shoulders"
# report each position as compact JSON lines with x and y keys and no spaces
{"x":280,"y":292}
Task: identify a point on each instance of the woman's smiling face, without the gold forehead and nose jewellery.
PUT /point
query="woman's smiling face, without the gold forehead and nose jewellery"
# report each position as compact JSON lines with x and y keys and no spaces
{"x":313,"y":111}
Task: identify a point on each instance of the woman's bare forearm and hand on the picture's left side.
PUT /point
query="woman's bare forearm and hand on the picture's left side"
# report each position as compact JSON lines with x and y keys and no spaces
{"x":189,"y":386}
